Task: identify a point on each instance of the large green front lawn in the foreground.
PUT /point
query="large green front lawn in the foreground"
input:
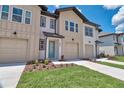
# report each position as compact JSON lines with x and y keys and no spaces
{"x":71,"y":77}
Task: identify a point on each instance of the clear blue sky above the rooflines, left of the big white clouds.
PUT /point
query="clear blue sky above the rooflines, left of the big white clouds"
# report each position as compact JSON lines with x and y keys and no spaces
{"x":96,"y":13}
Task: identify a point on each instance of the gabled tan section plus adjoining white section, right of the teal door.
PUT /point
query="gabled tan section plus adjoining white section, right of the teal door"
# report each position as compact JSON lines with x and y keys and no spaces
{"x":80,"y":35}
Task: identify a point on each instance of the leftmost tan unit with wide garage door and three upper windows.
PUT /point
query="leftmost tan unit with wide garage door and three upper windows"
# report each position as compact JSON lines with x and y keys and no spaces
{"x":19,"y":33}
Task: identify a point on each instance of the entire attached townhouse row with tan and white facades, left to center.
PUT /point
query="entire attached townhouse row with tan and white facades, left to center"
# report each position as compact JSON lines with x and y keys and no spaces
{"x":32,"y":32}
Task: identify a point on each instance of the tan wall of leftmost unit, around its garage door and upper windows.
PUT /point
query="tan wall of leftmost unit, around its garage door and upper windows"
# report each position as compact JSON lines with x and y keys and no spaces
{"x":30,"y":32}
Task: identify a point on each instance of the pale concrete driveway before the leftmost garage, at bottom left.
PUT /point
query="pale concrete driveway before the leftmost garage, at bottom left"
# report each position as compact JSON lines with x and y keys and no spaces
{"x":10,"y":74}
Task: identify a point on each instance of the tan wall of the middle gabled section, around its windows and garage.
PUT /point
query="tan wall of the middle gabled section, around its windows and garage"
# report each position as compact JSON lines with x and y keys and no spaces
{"x":70,"y":16}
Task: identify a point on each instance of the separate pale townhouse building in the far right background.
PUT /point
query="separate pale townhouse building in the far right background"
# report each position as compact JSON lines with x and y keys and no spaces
{"x":113,"y":44}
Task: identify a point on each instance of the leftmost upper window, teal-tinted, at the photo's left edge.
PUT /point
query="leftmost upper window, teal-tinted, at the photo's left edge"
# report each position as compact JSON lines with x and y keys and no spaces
{"x":5,"y":12}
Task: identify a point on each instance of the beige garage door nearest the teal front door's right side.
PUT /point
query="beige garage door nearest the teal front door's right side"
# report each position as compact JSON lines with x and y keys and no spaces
{"x":71,"y":50}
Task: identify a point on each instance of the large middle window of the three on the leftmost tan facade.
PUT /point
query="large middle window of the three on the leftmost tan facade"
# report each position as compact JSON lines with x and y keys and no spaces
{"x":17,"y":15}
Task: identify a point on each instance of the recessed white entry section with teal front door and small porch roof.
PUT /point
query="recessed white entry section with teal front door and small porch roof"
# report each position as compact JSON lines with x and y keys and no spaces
{"x":50,"y":42}
